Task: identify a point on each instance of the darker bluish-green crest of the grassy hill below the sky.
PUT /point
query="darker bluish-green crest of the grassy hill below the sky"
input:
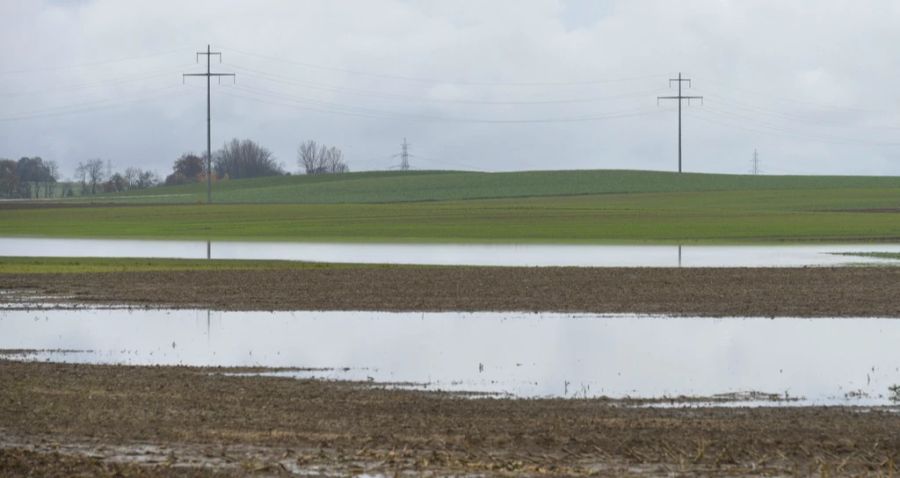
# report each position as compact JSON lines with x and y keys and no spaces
{"x":412,"y":186}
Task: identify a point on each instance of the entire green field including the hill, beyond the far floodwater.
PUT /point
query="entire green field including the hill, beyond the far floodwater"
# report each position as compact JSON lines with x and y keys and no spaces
{"x":534,"y":207}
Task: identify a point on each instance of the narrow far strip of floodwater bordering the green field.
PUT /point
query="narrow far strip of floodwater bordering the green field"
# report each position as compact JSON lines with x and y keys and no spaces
{"x":459,"y":254}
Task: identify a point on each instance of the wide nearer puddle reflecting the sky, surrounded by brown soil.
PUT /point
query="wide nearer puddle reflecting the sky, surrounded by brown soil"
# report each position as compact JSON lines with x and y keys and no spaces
{"x":738,"y":360}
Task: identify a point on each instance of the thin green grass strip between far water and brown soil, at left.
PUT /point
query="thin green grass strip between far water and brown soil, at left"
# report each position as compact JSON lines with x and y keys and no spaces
{"x":61,"y":265}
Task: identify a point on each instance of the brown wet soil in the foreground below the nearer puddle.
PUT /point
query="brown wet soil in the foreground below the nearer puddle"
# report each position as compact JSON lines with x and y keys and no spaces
{"x":95,"y":420}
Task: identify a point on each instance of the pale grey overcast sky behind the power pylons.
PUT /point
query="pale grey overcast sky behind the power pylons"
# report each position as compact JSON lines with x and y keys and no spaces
{"x":481,"y":85}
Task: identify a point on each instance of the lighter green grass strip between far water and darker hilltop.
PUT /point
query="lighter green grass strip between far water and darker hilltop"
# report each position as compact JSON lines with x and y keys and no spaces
{"x":728,"y":216}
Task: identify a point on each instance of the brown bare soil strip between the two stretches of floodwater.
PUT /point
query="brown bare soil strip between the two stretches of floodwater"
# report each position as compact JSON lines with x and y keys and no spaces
{"x":801,"y":292}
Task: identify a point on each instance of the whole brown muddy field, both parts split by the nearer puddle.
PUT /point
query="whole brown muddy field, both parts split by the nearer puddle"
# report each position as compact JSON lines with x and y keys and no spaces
{"x":95,"y":420}
